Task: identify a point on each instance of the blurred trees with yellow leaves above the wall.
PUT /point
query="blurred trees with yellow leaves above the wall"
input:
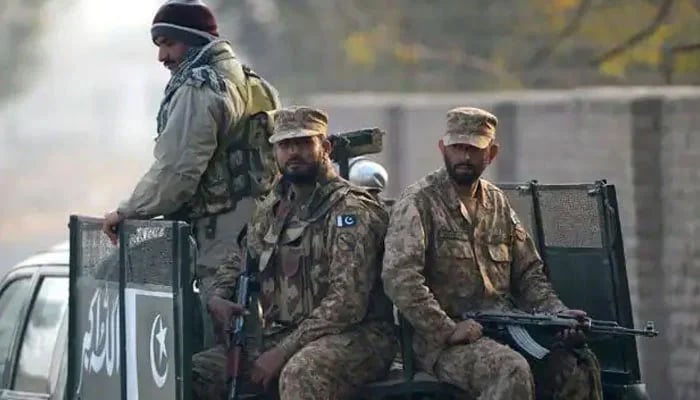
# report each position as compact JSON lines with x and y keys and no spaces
{"x":414,"y":45}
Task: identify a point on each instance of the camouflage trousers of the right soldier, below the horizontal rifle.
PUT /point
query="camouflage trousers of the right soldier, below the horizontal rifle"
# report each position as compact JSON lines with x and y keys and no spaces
{"x":487,"y":369}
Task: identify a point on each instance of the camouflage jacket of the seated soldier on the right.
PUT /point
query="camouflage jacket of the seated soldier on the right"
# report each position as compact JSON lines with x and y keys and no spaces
{"x":438,"y":263}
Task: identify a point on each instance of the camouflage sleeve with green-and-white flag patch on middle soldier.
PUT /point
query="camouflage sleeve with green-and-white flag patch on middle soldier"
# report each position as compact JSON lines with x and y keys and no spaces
{"x":354,"y":246}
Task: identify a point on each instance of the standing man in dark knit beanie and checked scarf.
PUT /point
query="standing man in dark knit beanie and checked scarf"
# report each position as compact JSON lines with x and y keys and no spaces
{"x":201,"y":114}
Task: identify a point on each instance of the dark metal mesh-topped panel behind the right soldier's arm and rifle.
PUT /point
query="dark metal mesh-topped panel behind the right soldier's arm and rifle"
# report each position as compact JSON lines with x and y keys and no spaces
{"x":577,"y":230}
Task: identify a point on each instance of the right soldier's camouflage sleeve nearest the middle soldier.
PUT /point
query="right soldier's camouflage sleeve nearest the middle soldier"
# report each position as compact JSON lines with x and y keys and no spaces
{"x":402,"y":273}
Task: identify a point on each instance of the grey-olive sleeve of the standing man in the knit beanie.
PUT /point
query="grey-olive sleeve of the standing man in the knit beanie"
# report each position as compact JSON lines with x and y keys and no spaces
{"x":182,"y":153}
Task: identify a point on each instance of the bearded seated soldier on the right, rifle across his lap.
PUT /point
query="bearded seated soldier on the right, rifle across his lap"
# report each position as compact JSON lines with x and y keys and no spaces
{"x":455,"y":244}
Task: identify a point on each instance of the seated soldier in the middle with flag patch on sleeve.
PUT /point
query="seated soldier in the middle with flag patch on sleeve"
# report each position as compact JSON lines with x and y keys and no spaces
{"x":327,"y":325}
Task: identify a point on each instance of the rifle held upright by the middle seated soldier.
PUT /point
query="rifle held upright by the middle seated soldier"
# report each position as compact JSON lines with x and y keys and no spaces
{"x":246,"y":285}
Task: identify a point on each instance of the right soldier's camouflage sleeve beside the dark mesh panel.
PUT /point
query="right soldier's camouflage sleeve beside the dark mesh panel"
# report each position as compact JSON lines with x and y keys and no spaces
{"x":531,"y":287}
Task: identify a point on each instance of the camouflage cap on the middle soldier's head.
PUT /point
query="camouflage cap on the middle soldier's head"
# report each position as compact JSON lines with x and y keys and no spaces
{"x":298,"y":121}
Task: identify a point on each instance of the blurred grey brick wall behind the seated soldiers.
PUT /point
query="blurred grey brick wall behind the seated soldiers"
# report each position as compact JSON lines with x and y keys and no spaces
{"x":644,"y":140}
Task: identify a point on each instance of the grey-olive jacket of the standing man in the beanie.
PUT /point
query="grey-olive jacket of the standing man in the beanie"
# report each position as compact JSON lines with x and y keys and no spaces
{"x":189,"y":177}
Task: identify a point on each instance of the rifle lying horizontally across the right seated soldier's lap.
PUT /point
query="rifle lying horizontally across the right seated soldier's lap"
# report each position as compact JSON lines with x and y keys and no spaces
{"x":515,"y":323}
